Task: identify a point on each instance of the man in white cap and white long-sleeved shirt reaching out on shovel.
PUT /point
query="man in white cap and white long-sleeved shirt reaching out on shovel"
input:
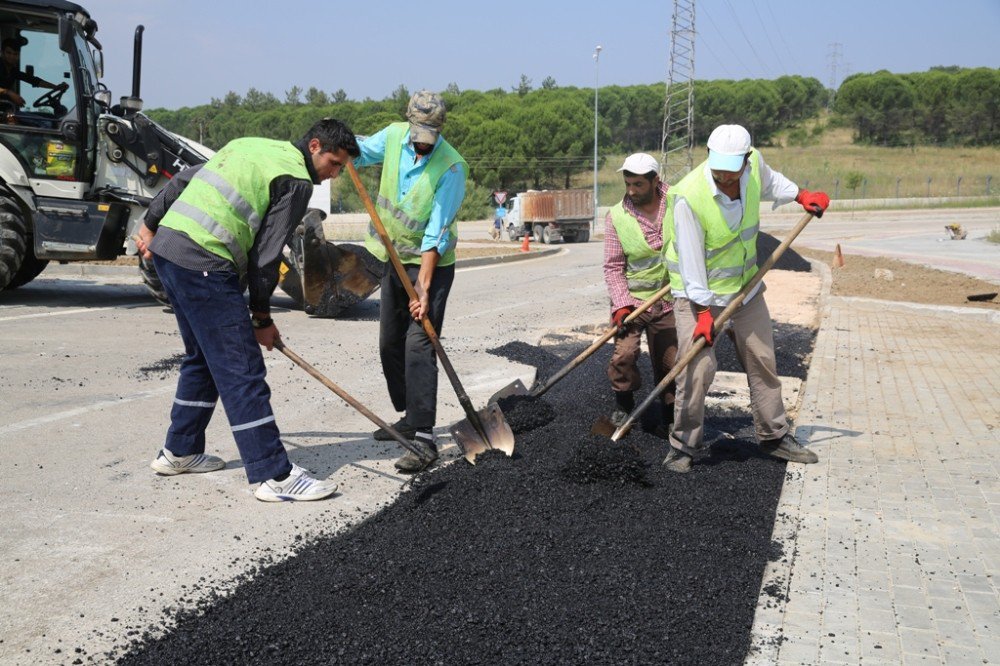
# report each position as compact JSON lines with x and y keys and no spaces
{"x":712,"y":255}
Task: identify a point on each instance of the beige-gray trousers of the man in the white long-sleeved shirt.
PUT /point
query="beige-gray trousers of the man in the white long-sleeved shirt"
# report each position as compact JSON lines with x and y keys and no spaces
{"x":754,"y":339}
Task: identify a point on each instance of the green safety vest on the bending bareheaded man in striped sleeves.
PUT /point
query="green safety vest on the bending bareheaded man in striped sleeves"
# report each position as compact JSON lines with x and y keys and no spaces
{"x":223,"y":206}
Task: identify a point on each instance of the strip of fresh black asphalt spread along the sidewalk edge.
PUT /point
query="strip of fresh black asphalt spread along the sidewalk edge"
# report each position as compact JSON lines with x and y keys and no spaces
{"x":575,"y":550}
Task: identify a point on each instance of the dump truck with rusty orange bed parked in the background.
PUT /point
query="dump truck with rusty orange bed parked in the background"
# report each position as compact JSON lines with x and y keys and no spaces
{"x":551,"y":216}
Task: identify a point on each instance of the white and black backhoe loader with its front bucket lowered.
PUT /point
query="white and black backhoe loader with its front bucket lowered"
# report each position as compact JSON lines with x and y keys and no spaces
{"x":78,"y":172}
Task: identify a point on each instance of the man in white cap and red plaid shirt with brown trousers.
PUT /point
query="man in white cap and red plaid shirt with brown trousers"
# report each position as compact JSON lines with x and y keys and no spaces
{"x":634,"y":270}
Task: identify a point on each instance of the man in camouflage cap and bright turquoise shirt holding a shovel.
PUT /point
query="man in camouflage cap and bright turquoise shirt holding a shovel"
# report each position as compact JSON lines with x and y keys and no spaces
{"x":422,"y":187}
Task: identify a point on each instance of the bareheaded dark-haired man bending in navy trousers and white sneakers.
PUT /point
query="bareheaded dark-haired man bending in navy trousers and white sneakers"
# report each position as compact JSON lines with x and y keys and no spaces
{"x":209,"y":231}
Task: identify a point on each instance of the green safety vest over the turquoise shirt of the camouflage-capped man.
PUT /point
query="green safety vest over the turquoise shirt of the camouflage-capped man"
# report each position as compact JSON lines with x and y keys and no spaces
{"x":405,"y":220}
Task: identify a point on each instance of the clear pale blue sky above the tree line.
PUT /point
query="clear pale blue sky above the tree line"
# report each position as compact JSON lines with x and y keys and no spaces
{"x":196,"y":50}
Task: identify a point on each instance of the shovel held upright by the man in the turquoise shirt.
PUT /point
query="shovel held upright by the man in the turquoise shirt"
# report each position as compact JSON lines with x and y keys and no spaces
{"x":479,"y":431}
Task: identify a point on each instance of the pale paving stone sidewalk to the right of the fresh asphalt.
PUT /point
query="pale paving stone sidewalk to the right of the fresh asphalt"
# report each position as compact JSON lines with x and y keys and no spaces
{"x":892,"y":541}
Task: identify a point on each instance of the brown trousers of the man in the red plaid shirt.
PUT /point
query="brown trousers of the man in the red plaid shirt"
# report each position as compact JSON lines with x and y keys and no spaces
{"x":661,"y":340}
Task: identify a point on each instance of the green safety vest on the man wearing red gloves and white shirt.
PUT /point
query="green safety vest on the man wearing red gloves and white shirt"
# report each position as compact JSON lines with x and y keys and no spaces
{"x":730,"y":256}
